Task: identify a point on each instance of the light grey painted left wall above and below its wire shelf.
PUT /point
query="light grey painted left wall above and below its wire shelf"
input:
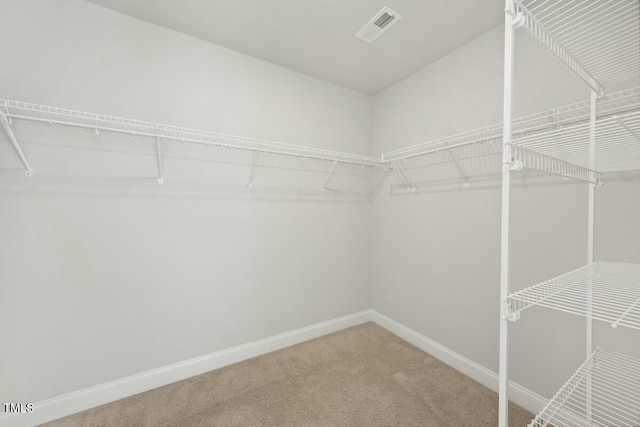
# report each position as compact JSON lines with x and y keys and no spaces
{"x":103,"y":272}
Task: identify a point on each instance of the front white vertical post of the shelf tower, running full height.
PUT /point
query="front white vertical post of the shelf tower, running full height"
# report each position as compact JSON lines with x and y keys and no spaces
{"x":503,"y":387}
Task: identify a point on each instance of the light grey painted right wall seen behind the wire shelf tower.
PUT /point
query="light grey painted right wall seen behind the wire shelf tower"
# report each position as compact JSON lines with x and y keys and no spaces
{"x":436,"y":254}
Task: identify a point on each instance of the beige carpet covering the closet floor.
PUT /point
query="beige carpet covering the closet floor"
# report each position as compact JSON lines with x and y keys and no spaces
{"x":361,"y":376}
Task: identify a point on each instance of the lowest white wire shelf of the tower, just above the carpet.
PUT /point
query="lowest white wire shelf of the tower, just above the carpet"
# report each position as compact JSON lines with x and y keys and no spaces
{"x":603,"y":392}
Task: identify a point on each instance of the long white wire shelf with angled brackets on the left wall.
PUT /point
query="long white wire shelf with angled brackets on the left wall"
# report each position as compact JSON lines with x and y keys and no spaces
{"x":27,"y":123}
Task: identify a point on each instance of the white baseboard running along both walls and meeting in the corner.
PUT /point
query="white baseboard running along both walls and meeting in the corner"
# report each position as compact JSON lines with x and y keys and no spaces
{"x":71,"y":403}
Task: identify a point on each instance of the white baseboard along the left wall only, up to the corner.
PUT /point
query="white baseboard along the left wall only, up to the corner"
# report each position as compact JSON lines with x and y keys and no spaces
{"x":71,"y":403}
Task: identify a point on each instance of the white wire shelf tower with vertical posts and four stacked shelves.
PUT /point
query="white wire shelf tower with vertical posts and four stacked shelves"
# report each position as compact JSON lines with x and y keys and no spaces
{"x":599,"y":42}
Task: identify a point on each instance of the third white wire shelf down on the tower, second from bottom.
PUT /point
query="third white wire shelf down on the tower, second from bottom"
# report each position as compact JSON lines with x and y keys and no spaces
{"x":605,"y":291}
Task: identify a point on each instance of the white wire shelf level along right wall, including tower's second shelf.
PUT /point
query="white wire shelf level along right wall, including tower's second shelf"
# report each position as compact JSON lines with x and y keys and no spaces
{"x":478,"y":153}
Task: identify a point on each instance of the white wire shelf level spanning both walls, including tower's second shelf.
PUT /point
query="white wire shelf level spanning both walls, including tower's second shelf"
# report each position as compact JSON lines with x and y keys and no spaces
{"x":554,"y":141}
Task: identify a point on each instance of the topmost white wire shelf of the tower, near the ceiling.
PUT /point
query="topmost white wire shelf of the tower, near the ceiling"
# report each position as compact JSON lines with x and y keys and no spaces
{"x":599,"y":41}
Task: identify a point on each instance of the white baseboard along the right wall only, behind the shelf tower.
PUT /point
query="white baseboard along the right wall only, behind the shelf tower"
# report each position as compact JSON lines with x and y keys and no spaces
{"x":518,"y":394}
